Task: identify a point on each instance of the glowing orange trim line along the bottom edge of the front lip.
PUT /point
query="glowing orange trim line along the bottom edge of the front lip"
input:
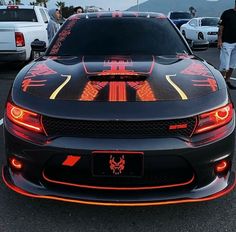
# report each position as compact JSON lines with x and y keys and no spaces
{"x":212,"y":197}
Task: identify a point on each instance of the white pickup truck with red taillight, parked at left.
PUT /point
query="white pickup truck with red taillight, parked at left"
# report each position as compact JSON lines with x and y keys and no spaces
{"x":19,"y":26}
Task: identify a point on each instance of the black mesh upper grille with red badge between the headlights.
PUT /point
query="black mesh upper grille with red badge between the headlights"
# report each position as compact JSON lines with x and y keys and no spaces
{"x":118,"y":129}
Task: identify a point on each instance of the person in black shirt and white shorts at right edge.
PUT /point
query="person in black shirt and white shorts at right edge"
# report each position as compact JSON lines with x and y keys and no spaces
{"x":227,"y":44}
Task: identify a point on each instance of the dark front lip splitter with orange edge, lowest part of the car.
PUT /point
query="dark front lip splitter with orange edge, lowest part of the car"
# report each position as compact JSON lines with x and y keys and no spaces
{"x":219,"y":187}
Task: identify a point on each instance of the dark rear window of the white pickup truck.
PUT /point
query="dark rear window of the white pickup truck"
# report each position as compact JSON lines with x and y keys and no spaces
{"x":13,"y":15}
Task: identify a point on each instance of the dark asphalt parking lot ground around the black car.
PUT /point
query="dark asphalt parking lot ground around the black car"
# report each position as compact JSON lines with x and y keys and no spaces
{"x":19,"y":213}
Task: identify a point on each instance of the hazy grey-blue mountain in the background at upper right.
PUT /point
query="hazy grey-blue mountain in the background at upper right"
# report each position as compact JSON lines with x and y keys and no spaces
{"x":203,"y":7}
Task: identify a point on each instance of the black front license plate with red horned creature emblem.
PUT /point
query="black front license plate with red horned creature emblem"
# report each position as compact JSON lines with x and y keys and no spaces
{"x":117,"y":164}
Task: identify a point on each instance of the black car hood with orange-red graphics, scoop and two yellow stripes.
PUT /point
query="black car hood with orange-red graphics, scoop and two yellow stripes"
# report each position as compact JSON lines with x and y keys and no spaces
{"x":118,"y":78}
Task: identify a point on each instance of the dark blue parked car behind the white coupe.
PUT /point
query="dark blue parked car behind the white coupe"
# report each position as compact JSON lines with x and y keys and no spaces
{"x":179,"y":17}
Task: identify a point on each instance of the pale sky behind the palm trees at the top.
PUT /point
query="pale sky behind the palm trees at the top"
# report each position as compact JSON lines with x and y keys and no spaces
{"x":105,"y":4}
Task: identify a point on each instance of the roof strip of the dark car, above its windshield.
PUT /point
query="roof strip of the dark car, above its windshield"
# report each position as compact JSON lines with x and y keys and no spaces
{"x":118,"y":14}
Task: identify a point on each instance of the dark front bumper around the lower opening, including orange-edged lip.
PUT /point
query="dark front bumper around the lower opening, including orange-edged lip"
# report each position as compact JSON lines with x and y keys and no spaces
{"x":199,"y":153}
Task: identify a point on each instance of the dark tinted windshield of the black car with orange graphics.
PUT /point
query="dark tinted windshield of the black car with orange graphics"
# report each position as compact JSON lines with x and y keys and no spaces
{"x":120,"y":36}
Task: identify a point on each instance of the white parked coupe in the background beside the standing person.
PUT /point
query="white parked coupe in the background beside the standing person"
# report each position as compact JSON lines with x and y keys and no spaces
{"x":201,"y":28}
